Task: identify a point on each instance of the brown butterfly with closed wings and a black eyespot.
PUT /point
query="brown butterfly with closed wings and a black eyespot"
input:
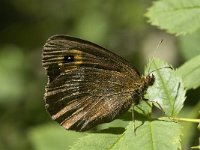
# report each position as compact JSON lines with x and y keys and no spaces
{"x":87,"y":84}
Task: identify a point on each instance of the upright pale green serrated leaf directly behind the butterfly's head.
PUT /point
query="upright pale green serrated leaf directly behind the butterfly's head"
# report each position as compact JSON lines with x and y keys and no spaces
{"x":168,"y":89}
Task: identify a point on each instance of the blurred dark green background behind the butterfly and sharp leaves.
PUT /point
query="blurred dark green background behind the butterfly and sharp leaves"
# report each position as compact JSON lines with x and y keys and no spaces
{"x":120,"y":26}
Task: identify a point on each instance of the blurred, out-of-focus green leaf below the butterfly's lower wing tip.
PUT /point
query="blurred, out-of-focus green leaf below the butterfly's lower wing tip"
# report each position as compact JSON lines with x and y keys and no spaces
{"x":51,"y":137}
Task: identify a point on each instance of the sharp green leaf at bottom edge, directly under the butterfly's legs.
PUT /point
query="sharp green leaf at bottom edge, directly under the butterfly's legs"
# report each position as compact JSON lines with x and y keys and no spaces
{"x":152,"y":135}
